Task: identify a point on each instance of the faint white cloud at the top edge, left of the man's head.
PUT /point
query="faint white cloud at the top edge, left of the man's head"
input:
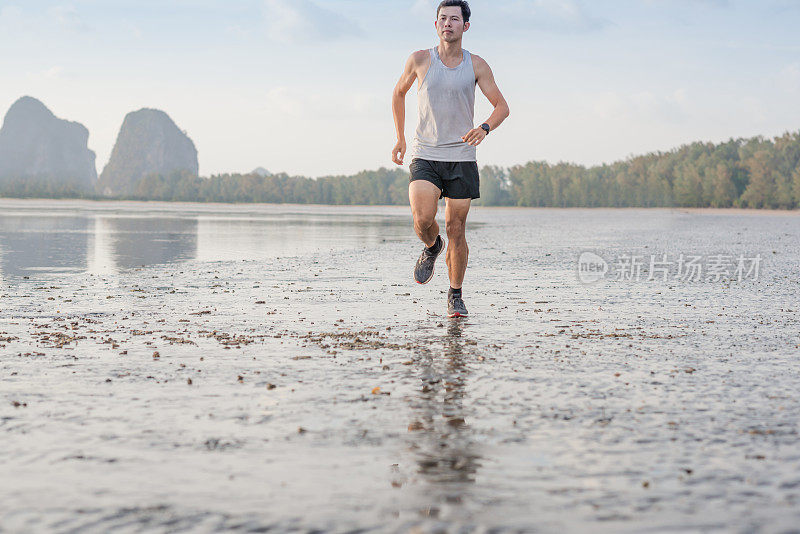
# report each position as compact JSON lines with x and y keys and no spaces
{"x":303,"y":20}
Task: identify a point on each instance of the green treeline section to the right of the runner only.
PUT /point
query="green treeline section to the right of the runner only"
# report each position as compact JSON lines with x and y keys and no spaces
{"x":746,"y":173}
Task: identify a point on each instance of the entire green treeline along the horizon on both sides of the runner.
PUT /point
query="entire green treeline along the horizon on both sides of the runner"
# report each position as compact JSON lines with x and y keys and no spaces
{"x":747,"y":173}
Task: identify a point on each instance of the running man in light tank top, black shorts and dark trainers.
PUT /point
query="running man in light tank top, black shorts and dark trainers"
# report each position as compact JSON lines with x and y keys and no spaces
{"x":445,"y":163}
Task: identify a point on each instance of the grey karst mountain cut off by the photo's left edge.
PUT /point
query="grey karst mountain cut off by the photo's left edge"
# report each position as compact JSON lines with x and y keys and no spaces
{"x":37,"y":146}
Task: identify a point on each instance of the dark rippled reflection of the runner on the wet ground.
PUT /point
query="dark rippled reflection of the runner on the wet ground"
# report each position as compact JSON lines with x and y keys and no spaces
{"x":443,"y":445}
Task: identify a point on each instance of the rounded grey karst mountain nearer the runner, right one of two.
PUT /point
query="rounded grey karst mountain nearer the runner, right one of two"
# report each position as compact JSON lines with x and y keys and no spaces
{"x":148,"y":143}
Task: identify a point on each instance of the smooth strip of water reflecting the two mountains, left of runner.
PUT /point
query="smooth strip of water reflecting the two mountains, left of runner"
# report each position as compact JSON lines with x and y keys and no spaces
{"x":37,"y":242}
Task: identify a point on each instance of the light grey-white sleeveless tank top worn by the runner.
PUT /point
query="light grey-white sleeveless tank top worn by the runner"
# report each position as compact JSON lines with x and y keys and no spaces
{"x":446,"y":110}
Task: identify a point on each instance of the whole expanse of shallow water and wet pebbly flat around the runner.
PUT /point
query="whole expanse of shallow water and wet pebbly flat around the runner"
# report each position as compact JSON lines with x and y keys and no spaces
{"x":330,"y":392}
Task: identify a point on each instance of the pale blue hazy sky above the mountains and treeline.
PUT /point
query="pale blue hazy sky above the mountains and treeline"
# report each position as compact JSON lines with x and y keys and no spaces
{"x":304,"y":86}
